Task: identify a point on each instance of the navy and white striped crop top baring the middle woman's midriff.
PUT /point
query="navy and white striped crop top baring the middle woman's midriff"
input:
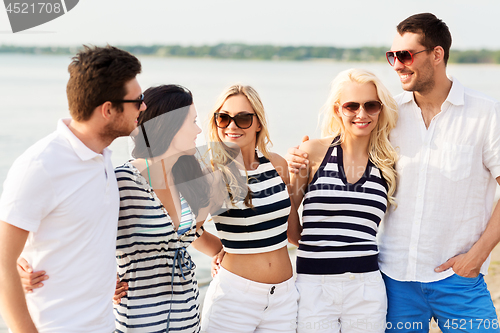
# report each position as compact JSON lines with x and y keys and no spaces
{"x":262,"y":228}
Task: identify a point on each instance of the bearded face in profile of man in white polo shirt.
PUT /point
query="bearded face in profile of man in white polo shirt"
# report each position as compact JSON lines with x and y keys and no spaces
{"x":123,"y":123}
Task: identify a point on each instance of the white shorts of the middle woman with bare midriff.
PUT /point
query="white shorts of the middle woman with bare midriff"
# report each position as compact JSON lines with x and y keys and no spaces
{"x":235,"y":304}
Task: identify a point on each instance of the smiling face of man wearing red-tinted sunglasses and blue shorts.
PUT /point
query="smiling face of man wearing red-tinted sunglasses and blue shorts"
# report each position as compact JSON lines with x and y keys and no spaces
{"x":418,"y":76}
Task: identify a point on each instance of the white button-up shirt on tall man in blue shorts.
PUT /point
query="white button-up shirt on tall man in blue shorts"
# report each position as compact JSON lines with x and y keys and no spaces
{"x":446,"y":184}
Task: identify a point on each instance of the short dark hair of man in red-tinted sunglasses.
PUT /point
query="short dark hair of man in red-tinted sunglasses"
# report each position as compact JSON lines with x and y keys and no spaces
{"x":433,"y":31}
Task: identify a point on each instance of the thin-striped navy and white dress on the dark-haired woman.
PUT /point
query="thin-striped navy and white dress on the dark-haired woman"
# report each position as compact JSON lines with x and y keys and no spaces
{"x":159,"y":294}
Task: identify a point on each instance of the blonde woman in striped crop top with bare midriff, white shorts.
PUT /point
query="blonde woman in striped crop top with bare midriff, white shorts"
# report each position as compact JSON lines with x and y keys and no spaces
{"x":254,"y":288}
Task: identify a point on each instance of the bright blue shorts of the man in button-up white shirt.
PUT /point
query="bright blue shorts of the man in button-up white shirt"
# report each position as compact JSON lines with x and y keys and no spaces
{"x":457,"y":304}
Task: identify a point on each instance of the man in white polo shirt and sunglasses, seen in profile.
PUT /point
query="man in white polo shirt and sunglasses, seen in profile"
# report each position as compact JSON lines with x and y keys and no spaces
{"x":60,"y":203}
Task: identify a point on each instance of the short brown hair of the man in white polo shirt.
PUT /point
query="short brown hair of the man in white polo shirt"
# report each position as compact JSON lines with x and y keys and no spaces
{"x":97,"y":75}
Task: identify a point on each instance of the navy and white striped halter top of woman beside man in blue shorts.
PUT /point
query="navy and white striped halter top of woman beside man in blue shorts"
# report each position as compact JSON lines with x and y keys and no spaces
{"x":340,"y":220}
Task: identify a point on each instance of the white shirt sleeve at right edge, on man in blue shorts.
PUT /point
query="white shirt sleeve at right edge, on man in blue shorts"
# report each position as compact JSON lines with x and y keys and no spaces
{"x":491,"y":148}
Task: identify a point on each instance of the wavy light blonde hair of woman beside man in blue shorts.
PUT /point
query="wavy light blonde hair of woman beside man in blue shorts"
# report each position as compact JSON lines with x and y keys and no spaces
{"x":380,"y":150}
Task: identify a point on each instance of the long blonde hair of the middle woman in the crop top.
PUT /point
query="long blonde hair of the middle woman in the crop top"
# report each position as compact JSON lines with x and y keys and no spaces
{"x":222,"y":155}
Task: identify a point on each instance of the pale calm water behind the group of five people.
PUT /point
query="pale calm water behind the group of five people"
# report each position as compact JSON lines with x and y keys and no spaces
{"x":33,"y":98}
